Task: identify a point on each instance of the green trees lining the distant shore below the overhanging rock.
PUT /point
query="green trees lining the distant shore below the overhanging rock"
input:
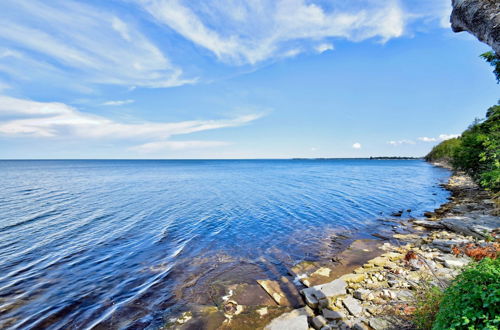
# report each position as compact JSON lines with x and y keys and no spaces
{"x":477,"y":151}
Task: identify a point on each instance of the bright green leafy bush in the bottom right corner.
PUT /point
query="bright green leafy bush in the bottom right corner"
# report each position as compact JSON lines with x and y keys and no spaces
{"x":472,"y":301}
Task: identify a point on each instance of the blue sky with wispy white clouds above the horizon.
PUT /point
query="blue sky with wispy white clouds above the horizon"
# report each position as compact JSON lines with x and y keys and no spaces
{"x":170,"y":79}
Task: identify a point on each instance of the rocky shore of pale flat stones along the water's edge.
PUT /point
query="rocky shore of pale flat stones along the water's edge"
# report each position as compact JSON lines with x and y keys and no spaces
{"x":374,"y":283}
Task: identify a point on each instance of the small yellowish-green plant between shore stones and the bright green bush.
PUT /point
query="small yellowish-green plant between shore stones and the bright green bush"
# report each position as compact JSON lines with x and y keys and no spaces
{"x":427,"y":300}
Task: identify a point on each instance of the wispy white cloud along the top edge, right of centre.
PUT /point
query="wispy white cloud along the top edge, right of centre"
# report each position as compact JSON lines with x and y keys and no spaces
{"x":241,"y":32}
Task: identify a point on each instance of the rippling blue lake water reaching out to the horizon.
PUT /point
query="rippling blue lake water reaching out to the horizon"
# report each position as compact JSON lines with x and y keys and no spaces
{"x":105,"y":244}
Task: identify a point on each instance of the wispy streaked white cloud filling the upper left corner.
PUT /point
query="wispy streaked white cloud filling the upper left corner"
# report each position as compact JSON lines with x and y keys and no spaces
{"x":84,"y":42}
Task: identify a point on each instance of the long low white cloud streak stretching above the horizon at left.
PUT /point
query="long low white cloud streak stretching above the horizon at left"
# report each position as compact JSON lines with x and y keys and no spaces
{"x":19,"y":117}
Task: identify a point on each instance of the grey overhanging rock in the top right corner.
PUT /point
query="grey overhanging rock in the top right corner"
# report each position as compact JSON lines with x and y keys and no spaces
{"x":479,"y":17}
